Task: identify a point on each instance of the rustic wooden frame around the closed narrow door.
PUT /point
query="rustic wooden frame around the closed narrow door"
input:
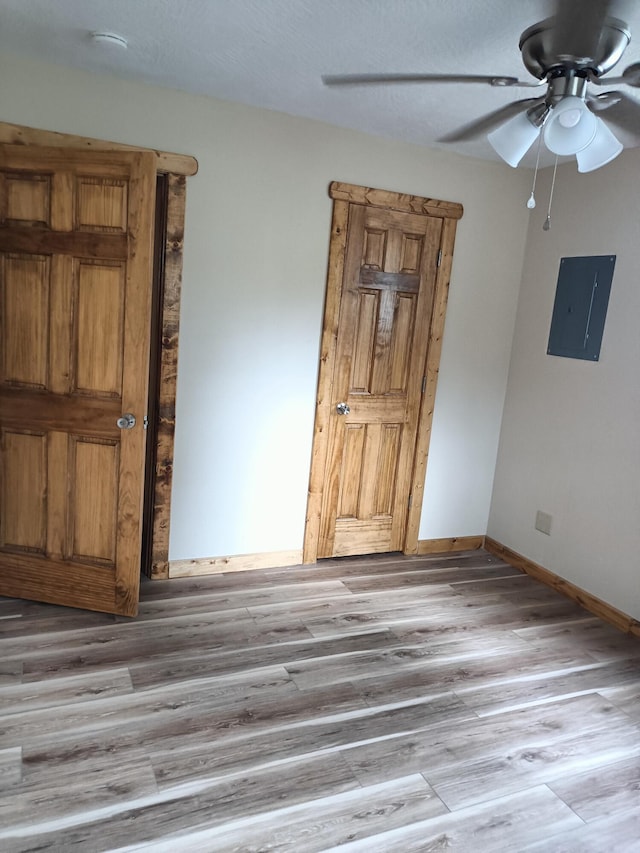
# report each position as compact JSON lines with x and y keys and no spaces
{"x":449,"y":212}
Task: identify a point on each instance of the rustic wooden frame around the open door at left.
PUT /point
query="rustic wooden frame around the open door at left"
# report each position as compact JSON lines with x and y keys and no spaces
{"x":177,"y":167}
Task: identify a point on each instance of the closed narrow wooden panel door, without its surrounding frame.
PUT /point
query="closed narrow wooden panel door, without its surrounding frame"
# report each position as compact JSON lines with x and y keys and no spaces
{"x":385,"y":311}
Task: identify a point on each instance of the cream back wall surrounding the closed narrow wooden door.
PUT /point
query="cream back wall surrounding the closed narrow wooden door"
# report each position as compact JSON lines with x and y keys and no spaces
{"x":258,"y":220}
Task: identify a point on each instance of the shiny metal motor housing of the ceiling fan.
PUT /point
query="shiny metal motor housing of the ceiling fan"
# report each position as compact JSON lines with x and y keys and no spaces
{"x":540,"y":57}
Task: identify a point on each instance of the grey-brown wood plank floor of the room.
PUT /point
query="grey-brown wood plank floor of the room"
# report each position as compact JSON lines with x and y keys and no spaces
{"x":369,"y":704}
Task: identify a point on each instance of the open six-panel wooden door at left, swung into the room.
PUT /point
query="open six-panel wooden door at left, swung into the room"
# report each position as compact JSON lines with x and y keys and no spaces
{"x":76,"y":237}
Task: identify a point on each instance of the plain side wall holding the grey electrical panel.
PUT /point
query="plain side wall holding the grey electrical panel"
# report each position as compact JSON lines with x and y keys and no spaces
{"x":570,"y":442}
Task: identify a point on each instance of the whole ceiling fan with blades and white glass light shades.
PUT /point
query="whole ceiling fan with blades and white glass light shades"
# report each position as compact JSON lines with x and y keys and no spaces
{"x":569,"y":54}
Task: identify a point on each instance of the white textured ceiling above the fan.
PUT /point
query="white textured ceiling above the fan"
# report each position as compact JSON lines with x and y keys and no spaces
{"x":272,"y":53}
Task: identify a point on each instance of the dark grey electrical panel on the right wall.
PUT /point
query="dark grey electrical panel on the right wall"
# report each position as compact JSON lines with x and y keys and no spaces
{"x":580,"y":307}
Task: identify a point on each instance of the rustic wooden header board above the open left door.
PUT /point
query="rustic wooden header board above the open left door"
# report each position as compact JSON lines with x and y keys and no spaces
{"x":179,"y":164}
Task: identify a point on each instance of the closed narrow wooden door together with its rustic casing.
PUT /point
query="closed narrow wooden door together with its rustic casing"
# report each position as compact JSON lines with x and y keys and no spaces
{"x":389,"y":270}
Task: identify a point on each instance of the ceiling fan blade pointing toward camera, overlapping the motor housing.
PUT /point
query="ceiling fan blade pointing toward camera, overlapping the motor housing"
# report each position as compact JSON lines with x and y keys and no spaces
{"x":578,"y":27}
